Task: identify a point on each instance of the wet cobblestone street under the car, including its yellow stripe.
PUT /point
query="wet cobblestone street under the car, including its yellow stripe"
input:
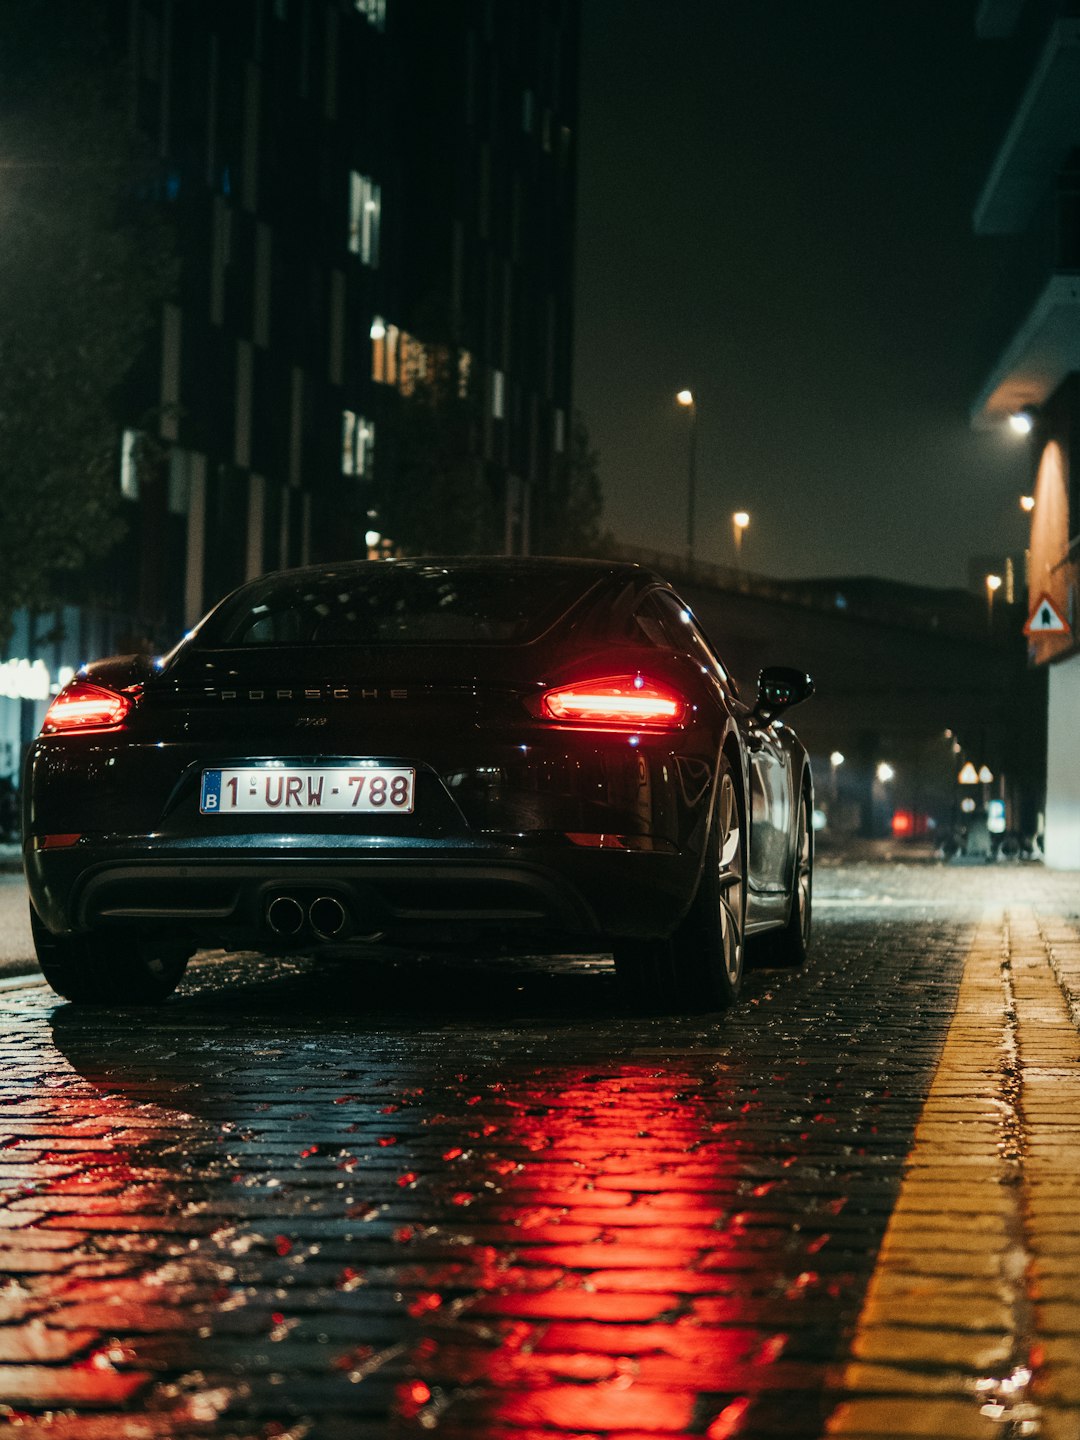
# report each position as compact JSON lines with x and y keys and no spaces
{"x":390,"y":1196}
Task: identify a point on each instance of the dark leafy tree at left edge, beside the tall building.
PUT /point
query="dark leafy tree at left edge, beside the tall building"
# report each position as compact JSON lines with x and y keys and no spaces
{"x":86,"y":258}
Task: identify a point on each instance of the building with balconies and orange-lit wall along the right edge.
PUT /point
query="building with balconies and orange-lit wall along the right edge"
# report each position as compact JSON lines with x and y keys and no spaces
{"x":1032,"y":194}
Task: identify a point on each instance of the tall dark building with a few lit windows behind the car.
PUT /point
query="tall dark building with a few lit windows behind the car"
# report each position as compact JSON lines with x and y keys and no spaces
{"x":374,"y":208}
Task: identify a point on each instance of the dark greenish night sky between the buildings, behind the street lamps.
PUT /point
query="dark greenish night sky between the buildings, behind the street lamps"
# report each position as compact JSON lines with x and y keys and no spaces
{"x":775,"y":211}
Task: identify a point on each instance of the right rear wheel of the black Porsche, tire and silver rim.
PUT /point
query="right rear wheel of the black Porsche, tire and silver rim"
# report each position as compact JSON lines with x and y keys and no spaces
{"x":701,"y":966}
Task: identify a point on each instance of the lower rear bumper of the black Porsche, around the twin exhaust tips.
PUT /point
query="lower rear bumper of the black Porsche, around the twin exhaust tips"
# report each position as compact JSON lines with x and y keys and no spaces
{"x":503,"y":889}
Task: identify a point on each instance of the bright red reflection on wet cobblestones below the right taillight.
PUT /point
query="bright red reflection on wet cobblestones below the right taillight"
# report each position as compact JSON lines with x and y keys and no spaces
{"x":607,"y":1216}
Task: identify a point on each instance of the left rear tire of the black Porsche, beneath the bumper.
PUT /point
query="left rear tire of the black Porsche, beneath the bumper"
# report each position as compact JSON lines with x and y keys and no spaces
{"x":109,"y":970}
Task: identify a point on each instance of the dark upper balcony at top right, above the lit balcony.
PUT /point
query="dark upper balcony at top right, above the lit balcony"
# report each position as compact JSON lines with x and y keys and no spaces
{"x":1045,"y":130}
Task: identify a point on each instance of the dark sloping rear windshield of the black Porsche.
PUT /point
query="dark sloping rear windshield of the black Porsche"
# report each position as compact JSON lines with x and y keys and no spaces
{"x":394,"y":604}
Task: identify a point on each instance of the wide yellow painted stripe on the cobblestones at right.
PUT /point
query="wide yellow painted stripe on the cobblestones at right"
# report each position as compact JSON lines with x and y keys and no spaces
{"x":971,"y":1324}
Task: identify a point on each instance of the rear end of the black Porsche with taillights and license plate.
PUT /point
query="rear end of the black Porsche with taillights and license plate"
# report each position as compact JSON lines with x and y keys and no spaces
{"x":282,"y":794}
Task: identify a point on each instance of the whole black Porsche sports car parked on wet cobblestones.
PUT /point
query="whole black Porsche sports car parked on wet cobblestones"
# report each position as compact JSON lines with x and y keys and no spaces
{"x":545,"y":754}
